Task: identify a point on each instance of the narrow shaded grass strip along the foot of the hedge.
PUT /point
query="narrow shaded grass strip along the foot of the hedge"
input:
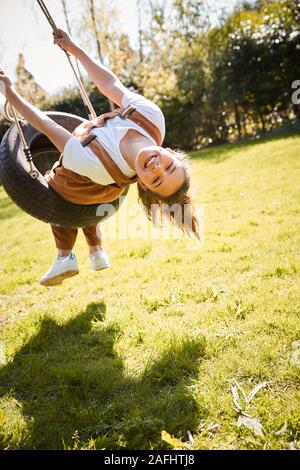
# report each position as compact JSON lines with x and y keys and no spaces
{"x":220,"y":153}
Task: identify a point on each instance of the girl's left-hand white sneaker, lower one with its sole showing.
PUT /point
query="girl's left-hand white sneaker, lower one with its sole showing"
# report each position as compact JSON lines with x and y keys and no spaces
{"x":61,"y":269}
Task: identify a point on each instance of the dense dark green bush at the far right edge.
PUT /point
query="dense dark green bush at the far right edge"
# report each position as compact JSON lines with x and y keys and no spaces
{"x":252,"y":61}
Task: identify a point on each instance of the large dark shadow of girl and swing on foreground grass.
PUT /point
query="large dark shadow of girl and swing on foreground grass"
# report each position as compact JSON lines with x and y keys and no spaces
{"x":69,"y":381}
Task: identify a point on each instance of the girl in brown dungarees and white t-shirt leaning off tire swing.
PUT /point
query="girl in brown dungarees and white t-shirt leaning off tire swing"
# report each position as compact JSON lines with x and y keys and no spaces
{"x":103,"y":156}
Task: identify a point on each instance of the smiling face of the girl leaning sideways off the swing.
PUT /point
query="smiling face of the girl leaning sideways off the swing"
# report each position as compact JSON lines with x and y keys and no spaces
{"x":159,"y":170}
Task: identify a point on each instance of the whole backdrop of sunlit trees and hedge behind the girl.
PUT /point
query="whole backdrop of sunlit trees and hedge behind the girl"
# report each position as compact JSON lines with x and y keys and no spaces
{"x":215,"y":81}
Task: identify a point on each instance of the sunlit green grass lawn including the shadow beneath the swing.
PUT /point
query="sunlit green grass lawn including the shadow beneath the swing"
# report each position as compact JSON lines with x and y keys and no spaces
{"x":155,"y":343}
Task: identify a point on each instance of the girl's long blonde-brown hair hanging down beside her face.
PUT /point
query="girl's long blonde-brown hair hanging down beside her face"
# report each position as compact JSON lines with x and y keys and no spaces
{"x":178,"y":206}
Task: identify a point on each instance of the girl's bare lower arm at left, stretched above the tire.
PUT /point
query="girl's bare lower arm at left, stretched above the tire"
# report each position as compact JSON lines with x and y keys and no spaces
{"x":39,"y":120}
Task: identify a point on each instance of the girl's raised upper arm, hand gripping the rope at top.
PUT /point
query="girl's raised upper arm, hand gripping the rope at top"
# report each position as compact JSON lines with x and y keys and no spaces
{"x":107,"y":82}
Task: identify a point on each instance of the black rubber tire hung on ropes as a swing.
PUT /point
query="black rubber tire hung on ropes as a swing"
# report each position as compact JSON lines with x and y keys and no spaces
{"x":35,"y":196}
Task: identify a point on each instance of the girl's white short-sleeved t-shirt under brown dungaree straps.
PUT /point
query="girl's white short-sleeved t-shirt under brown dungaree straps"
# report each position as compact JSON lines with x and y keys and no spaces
{"x":82,"y":160}
